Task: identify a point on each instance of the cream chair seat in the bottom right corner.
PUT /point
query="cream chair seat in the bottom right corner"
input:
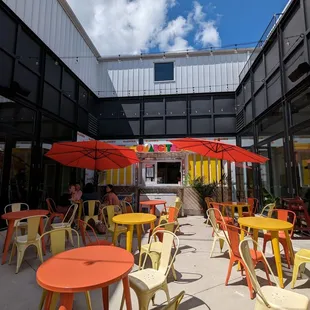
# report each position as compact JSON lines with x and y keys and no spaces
{"x":279,"y":298}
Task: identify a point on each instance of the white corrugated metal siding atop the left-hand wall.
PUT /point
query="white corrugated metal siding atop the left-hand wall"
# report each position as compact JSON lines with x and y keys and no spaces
{"x":49,"y":21}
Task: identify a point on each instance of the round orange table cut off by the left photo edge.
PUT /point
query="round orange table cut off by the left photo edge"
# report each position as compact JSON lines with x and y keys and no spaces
{"x":11,"y":217}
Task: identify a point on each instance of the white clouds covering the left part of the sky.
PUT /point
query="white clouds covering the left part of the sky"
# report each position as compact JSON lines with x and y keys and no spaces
{"x":135,"y":26}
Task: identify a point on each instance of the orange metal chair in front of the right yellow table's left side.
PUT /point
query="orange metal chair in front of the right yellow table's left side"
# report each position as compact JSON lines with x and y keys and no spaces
{"x":257,"y":256}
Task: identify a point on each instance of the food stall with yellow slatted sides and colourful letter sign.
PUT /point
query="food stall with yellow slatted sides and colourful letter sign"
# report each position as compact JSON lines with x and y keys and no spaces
{"x":163,"y":173}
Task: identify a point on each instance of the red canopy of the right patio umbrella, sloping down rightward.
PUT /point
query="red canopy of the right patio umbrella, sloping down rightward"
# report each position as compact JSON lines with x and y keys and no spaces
{"x":219,"y":150}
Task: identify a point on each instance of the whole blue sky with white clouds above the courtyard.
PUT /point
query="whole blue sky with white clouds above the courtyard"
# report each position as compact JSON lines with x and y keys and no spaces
{"x":119,"y":27}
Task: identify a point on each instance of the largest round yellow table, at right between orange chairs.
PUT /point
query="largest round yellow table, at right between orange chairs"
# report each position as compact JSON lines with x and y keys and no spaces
{"x":274,"y":226}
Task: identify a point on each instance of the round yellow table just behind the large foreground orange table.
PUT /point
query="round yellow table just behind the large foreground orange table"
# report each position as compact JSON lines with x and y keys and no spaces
{"x":131,"y":219}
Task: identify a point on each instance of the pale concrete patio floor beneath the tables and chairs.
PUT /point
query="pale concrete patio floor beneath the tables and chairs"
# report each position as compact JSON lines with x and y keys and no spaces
{"x":202,"y":278}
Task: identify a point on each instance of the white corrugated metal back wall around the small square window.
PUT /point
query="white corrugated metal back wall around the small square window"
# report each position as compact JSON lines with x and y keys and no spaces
{"x":194,"y":74}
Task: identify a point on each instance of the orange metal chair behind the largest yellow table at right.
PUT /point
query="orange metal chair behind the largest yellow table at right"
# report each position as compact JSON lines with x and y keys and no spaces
{"x":284,"y":215}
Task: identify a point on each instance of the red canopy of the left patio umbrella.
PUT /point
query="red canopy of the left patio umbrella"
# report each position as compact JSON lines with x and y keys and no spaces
{"x":95,"y":155}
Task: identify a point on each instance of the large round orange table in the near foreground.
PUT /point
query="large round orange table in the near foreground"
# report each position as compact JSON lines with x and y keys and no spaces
{"x":84,"y":269}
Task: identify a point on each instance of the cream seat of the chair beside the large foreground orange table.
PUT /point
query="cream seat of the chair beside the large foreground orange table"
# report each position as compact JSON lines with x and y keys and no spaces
{"x":146,"y":279}
